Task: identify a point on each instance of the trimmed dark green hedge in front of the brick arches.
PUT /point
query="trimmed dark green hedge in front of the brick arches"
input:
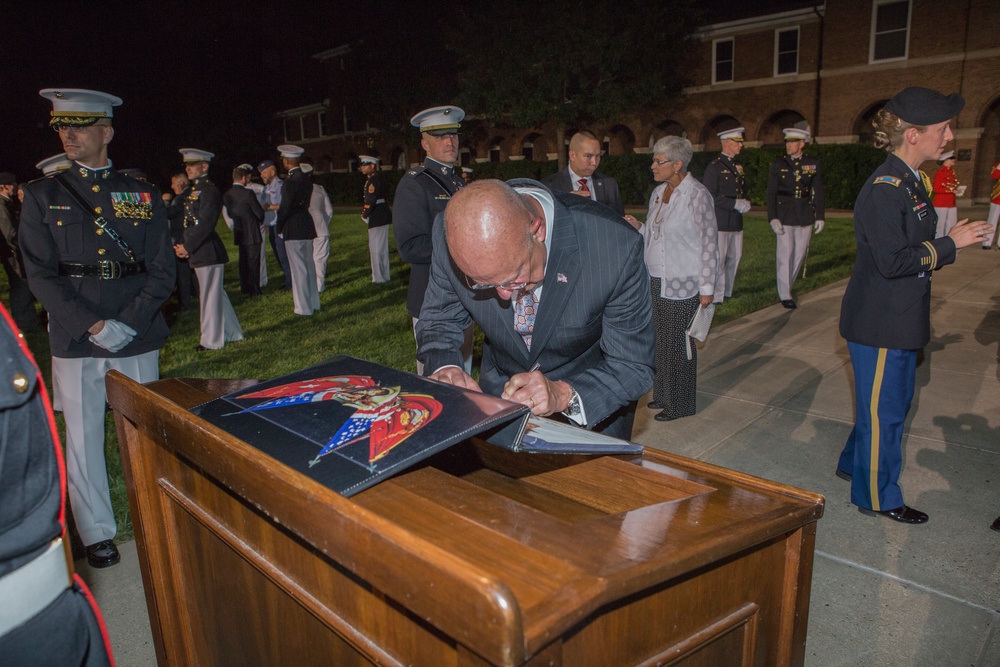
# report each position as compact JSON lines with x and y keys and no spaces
{"x":845,"y":168}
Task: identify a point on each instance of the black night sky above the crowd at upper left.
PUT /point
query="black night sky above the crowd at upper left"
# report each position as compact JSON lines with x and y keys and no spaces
{"x":206,"y":75}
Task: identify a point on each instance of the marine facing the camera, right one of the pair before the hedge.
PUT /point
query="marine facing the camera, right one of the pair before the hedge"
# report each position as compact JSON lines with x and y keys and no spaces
{"x":795,"y":207}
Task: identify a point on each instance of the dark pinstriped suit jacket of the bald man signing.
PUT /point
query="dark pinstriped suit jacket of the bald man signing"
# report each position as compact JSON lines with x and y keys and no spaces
{"x":594,"y":327}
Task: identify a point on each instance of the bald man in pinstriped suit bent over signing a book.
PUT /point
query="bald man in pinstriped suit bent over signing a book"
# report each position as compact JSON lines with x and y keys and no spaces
{"x":558,"y":285}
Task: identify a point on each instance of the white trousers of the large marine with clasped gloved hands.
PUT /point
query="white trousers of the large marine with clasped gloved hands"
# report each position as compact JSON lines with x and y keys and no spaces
{"x":82,"y":394}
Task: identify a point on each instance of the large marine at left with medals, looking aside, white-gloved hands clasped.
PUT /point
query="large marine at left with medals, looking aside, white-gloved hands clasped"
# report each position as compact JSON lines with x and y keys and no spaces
{"x":102,"y":267}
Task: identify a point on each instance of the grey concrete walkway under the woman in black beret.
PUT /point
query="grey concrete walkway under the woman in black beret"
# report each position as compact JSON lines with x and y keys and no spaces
{"x":775,"y":400}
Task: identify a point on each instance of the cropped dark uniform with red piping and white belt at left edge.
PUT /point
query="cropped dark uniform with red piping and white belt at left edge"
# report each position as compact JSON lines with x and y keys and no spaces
{"x":48,"y":616}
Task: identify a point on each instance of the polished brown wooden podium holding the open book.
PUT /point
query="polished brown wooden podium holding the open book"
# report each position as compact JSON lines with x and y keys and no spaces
{"x":478,"y":556}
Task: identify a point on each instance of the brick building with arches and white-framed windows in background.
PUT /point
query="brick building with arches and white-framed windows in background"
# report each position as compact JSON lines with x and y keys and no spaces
{"x":833,"y":64}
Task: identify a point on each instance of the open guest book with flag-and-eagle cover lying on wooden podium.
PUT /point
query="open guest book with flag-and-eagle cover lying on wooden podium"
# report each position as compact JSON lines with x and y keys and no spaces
{"x":347,"y":422}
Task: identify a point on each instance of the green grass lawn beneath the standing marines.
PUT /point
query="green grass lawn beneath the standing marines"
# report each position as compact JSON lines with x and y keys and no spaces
{"x":370,"y":321}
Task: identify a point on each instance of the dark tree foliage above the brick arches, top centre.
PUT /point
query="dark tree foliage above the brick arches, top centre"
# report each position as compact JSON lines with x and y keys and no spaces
{"x":570,"y":61}
